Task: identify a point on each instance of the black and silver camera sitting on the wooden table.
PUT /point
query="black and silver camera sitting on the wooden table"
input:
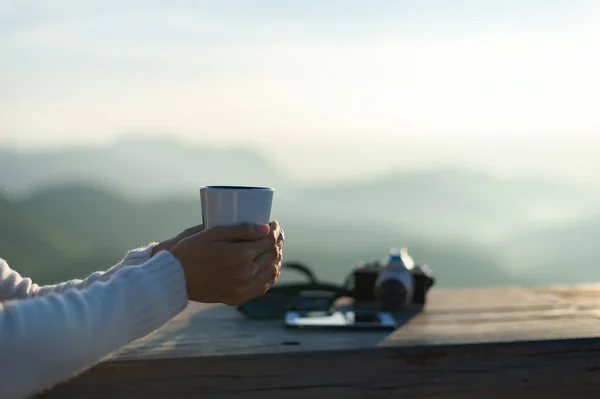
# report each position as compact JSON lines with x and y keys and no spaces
{"x":393,"y":283}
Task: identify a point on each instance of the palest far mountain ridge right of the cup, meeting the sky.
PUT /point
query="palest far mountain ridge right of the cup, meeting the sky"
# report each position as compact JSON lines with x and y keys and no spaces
{"x":451,"y":203}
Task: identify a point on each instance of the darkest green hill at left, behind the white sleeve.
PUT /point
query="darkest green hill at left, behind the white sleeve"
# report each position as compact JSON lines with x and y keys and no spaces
{"x":57,"y":228}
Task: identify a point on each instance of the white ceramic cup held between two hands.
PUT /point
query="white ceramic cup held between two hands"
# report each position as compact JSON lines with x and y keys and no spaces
{"x":229,"y":205}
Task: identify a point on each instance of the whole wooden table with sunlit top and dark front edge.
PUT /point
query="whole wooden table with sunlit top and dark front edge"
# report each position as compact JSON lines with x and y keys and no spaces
{"x":469,"y":343}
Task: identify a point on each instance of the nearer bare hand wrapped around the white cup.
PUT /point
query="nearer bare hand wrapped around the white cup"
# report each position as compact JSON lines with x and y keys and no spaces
{"x":231,"y":264}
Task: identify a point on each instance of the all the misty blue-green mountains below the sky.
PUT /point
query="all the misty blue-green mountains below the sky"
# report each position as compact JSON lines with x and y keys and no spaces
{"x":68,"y":212}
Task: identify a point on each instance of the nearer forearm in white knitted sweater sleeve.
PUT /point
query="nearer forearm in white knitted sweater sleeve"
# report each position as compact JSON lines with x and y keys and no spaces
{"x":48,"y":339}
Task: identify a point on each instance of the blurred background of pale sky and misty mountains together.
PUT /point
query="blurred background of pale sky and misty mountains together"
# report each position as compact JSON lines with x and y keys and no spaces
{"x":467,"y":131}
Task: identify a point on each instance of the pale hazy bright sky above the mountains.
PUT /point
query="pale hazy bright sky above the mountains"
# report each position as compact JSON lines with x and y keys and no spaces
{"x":327,"y":89}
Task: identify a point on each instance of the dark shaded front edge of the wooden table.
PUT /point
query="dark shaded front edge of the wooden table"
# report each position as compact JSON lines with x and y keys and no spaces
{"x":555,"y":369}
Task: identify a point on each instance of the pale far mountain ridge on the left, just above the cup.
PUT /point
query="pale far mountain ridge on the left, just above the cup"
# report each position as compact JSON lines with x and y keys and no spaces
{"x":138,"y":168}
